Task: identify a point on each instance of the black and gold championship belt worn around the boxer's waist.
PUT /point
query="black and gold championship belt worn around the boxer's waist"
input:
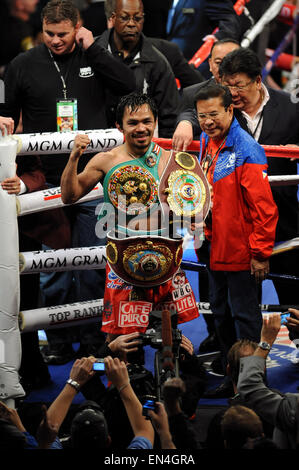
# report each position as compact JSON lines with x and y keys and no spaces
{"x":144,"y":260}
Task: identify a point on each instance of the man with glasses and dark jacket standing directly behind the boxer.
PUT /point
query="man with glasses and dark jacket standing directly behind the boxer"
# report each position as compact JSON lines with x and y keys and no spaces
{"x":152,"y":71}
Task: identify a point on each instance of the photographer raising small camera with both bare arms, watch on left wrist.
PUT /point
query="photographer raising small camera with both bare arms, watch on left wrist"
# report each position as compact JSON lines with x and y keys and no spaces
{"x":89,"y":428}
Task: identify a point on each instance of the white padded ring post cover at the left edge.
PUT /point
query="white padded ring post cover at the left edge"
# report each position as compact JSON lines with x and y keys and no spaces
{"x":10,"y":341}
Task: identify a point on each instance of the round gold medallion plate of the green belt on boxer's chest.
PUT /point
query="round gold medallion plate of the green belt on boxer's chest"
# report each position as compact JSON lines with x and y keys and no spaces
{"x":132,"y":189}
